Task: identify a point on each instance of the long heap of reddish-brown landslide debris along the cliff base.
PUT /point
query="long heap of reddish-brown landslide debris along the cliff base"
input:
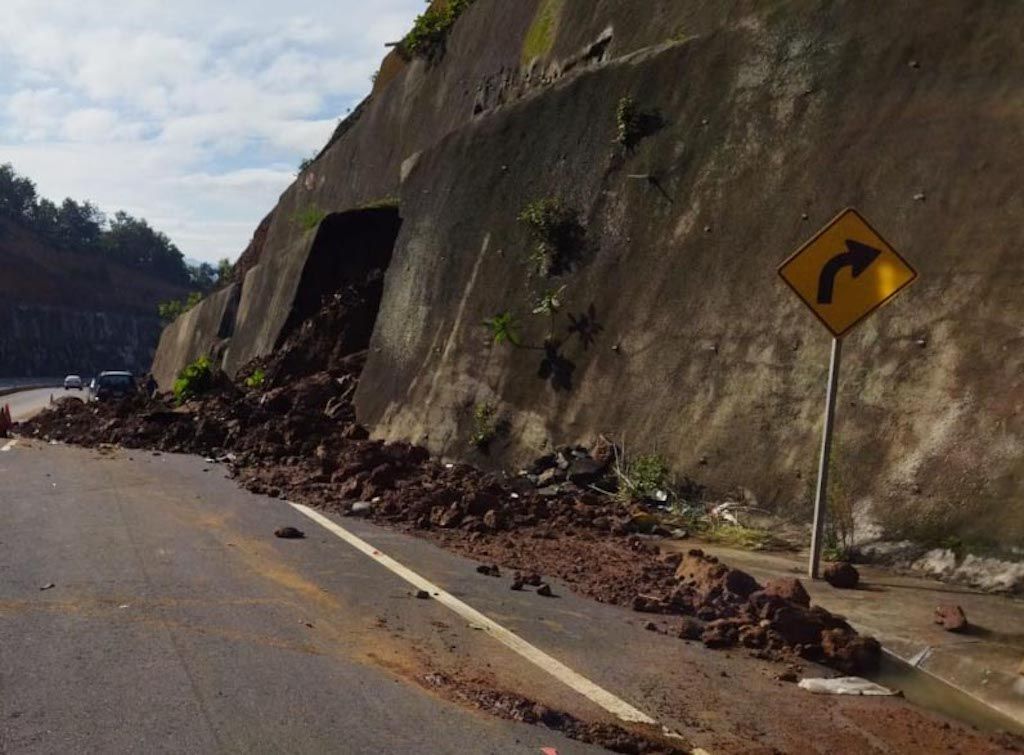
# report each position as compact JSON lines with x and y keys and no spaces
{"x":297,"y":437}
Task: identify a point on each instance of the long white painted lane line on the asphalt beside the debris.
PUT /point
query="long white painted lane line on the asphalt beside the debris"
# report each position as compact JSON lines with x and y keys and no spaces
{"x":539,"y":658}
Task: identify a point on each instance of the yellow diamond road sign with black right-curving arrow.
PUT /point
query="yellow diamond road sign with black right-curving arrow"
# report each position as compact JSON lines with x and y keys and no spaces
{"x":846,"y":272}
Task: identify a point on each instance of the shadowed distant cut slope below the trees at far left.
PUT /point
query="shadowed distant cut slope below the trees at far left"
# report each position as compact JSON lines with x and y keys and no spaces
{"x":63,"y":313}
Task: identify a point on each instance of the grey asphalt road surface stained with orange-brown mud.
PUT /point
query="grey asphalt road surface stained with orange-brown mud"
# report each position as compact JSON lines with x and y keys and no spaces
{"x":146,"y":606}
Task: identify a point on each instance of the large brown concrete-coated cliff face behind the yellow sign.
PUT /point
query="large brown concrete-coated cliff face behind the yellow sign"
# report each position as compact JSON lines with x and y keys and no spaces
{"x":675,"y":333}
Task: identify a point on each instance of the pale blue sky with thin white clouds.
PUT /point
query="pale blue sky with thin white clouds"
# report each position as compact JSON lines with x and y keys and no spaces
{"x":193,"y":114}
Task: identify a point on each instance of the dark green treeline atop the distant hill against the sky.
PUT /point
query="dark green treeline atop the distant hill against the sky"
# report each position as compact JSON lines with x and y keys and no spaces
{"x":83,"y":228}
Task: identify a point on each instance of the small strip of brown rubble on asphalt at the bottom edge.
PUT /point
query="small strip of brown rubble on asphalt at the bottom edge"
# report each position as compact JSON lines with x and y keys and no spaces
{"x":514,"y":707}
